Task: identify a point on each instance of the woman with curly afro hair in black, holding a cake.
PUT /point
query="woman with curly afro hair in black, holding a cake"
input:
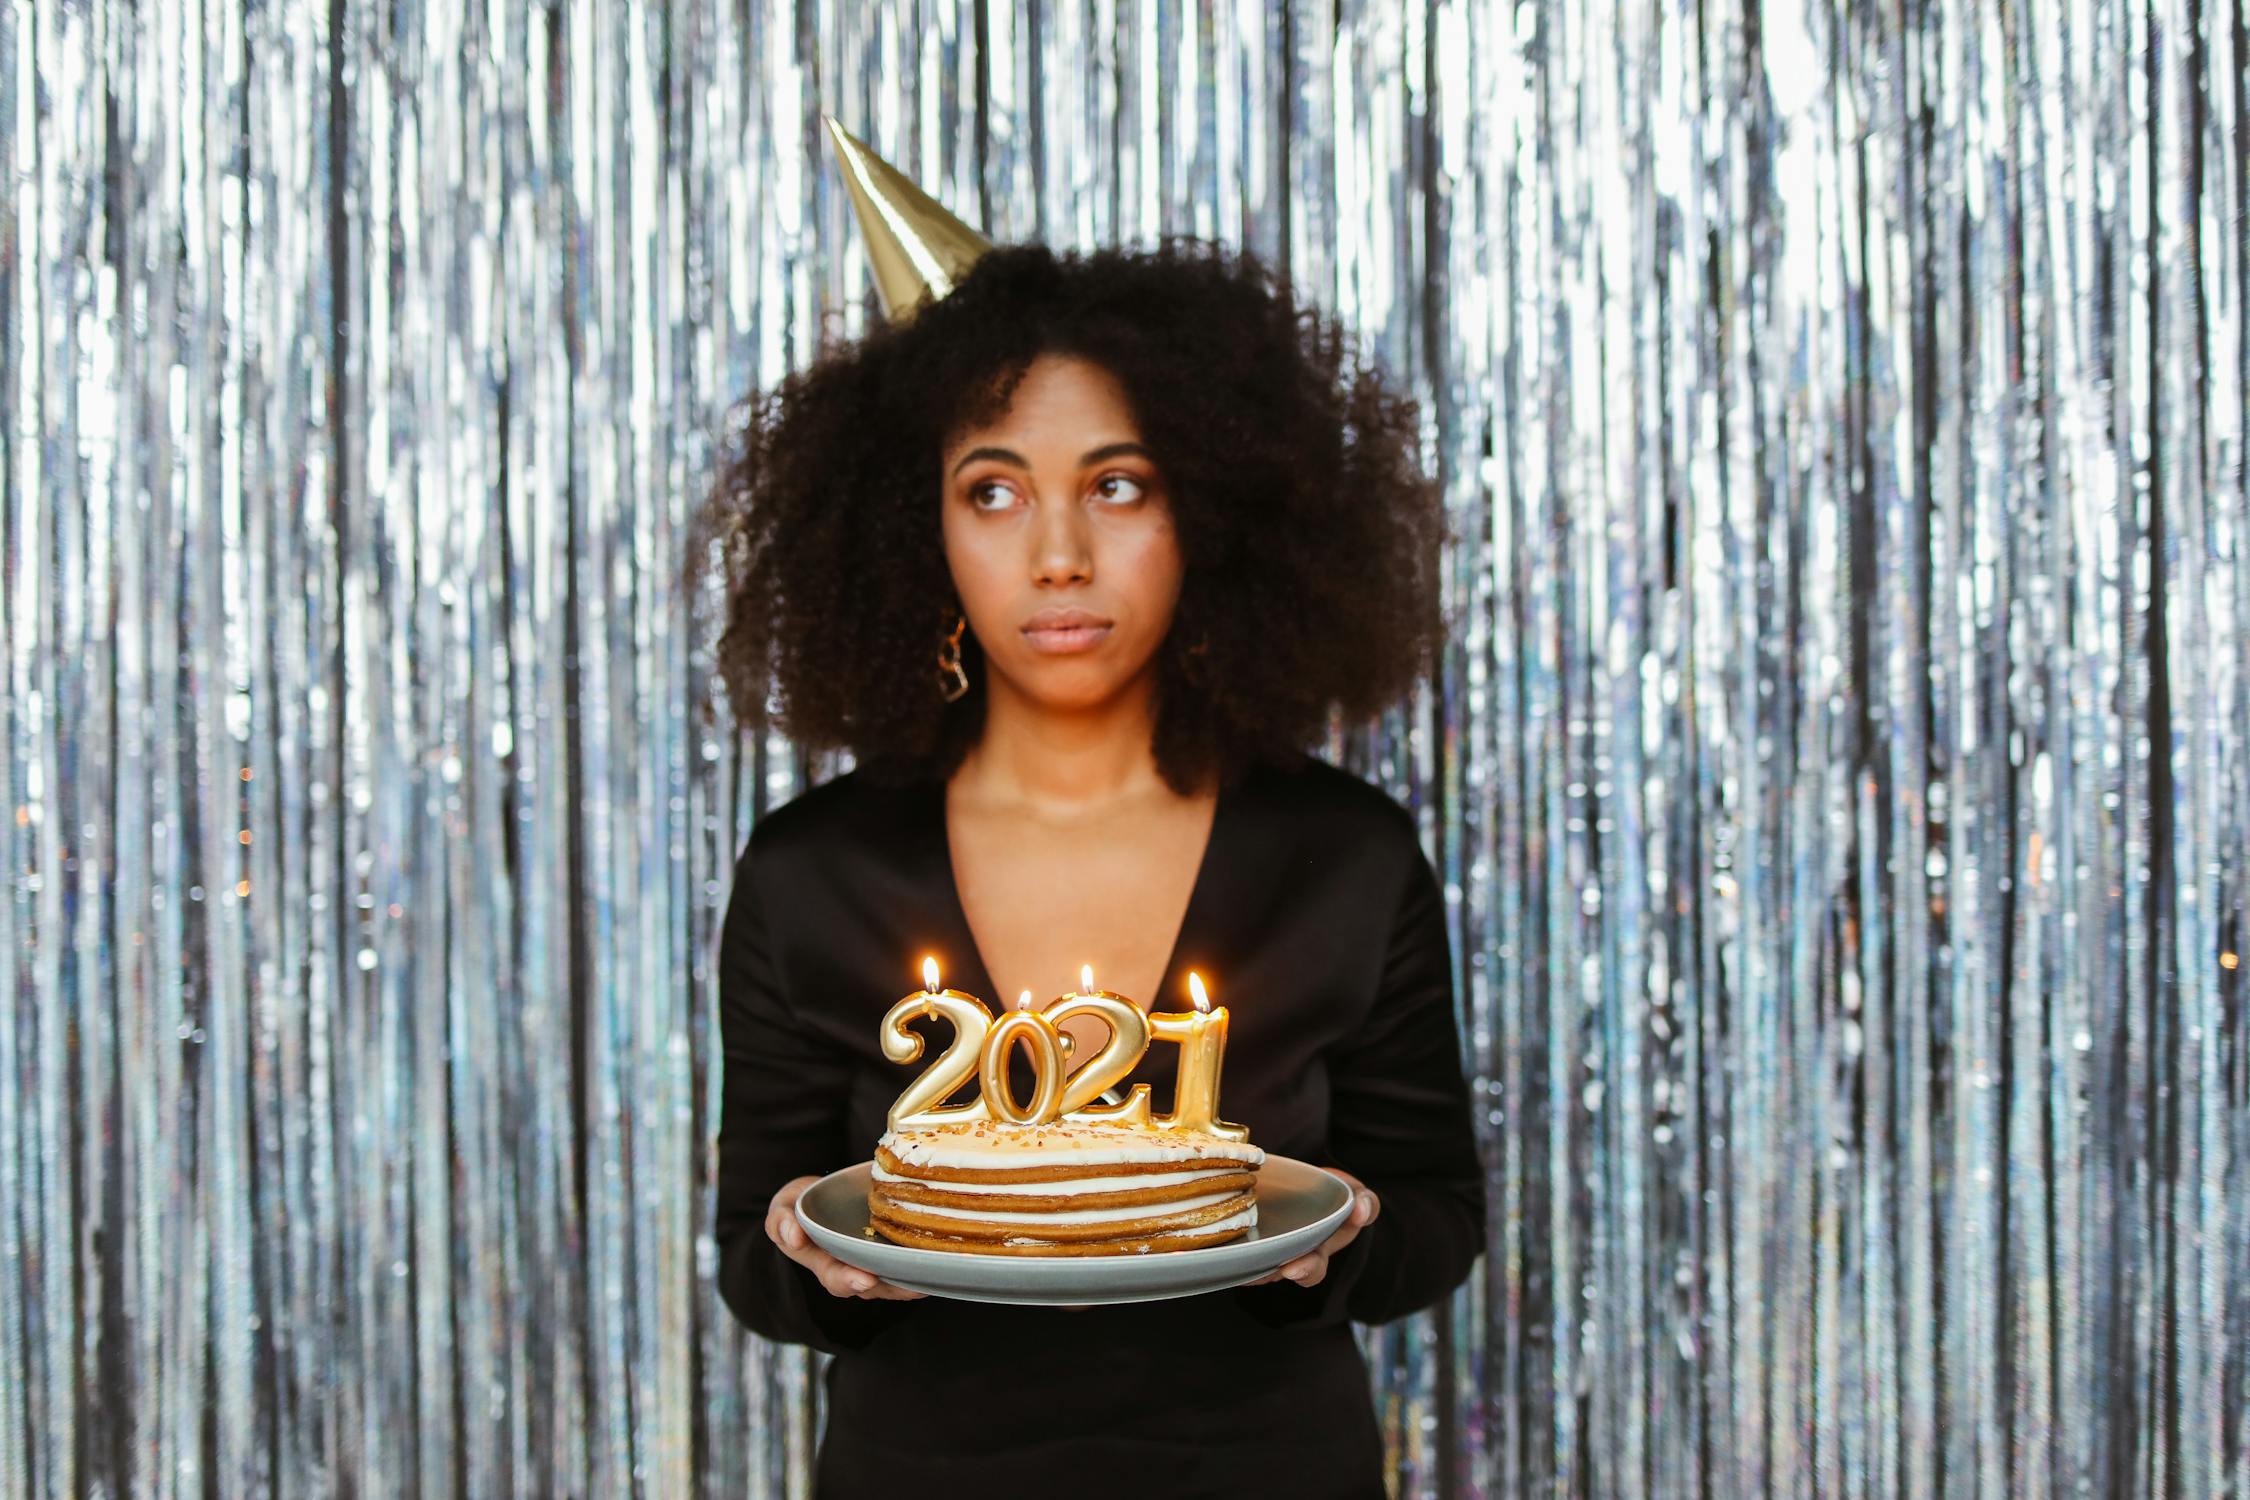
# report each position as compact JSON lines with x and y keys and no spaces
{"x":1074,"y":563}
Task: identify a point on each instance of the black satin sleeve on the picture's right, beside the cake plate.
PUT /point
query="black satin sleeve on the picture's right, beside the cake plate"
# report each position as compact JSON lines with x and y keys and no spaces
{"x":1401,"y":1123}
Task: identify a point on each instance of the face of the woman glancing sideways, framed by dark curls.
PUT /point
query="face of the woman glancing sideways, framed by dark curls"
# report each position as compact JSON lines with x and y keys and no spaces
{"x":1061,"y":541}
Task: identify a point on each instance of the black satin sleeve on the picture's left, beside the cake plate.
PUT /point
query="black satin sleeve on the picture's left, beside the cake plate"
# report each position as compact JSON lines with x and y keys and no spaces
{"x":782,"y":1117}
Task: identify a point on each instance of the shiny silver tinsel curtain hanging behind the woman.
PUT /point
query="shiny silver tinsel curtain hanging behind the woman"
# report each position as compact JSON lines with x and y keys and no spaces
{"x":1839,"y":768}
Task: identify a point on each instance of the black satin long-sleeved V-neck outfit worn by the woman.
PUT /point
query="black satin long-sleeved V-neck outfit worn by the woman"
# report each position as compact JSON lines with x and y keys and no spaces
{"x":1320,"y":925}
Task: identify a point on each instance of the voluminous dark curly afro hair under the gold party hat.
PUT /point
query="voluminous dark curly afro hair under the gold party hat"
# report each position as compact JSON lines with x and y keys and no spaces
{"x":1308,"y":530}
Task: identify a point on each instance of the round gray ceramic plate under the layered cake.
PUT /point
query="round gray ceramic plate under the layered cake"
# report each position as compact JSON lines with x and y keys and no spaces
{"x":1297,"y":1209}
